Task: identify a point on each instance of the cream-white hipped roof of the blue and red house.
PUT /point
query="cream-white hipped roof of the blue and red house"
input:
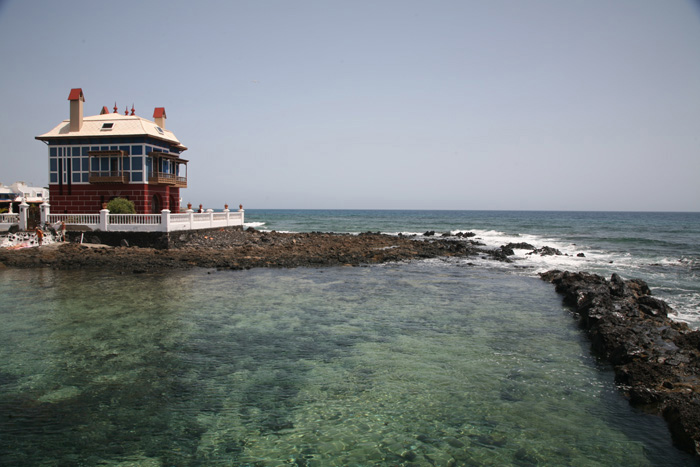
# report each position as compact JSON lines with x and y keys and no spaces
{"x":124,"y":125}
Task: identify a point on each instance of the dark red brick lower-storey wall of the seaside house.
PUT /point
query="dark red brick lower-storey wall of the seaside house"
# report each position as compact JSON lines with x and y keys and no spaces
{"x":88,"y":199}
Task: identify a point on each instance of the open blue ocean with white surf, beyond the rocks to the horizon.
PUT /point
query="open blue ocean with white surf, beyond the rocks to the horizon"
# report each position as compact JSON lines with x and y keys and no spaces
{"x":660,"y":248}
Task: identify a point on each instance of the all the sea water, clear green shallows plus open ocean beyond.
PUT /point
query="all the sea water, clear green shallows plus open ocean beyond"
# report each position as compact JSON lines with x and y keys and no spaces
{"x":427,"y":363}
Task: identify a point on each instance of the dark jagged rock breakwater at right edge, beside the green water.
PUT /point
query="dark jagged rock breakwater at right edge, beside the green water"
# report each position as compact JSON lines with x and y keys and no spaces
{"x":656,"y":360}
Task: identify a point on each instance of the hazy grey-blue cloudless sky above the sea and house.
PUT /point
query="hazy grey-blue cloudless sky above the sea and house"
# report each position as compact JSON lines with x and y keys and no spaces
{"x":498,"y":104}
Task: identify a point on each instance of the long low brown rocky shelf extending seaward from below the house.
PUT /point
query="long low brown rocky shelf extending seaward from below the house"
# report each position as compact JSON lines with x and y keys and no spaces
{"x":241,"y":249}
